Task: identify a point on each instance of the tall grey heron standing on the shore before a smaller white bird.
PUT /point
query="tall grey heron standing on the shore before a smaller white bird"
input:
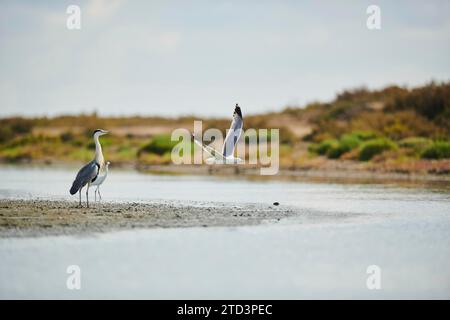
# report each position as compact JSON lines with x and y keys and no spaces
{"x":89,"y":173}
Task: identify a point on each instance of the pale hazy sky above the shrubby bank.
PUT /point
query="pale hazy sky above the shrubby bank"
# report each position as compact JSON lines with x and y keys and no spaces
{"x":200,"y":57}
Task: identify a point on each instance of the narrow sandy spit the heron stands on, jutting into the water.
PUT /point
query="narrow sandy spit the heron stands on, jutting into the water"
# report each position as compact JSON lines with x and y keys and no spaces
{"x":23,"y":218}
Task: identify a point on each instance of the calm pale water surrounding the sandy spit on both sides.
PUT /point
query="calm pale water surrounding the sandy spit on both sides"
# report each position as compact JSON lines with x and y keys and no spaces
{"x":404,"y":231}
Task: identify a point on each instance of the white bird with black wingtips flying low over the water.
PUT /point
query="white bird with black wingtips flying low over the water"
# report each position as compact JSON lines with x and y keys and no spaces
{"x":229,"y":144}
